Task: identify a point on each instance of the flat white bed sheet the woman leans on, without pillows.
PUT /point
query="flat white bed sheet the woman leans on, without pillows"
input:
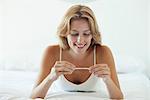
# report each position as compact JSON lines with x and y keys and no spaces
{"x":17,"y":85}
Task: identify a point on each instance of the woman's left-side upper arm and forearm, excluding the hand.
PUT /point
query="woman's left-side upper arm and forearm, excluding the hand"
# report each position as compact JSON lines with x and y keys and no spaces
{"x":44,"y":80}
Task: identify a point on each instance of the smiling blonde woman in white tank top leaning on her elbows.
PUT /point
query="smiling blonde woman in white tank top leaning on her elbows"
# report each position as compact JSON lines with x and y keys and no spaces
{"x":80,"y":59}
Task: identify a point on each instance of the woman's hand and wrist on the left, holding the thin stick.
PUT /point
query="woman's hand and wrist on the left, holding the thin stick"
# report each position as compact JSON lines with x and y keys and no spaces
{"x":61,"y":67}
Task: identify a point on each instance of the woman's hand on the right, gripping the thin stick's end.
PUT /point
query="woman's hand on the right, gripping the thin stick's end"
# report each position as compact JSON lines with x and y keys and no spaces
{"x":100,"y":70}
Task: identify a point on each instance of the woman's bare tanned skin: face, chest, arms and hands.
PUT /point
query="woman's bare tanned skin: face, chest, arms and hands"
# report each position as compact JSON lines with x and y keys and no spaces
{"x":80,"y":54}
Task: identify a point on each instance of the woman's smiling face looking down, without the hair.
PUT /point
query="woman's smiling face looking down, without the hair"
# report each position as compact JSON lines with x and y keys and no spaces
{"x":80,"y":36}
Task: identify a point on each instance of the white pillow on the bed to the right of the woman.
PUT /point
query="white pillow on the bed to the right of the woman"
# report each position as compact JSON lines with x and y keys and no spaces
{"x":128,"y":64}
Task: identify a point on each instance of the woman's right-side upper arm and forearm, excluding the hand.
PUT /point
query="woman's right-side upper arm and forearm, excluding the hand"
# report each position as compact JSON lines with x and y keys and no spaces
{"x":111,"y":82}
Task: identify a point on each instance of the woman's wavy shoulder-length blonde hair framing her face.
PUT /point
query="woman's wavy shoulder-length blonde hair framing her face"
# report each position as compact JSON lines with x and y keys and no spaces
{"x":78,"y":12}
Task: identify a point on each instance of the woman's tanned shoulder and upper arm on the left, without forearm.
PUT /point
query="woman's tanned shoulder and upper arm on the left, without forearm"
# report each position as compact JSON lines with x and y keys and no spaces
{"x":49,"y":58}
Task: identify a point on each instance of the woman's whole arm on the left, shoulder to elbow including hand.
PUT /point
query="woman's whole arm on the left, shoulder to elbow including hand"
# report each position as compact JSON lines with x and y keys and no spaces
{"x":51,"y":69}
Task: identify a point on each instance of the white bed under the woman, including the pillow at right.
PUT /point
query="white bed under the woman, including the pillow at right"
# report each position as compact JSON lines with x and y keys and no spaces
{"x":16,"y":84}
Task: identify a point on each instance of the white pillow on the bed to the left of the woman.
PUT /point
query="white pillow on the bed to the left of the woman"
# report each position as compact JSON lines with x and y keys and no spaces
{"x":21,"y":64}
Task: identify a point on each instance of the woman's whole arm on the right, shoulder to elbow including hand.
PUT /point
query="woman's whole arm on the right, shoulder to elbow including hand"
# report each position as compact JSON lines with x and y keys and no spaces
{"x":106,"y":70}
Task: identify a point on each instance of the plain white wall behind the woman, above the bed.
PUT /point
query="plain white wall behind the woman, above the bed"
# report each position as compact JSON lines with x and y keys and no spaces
{"x":28,"y":26}
